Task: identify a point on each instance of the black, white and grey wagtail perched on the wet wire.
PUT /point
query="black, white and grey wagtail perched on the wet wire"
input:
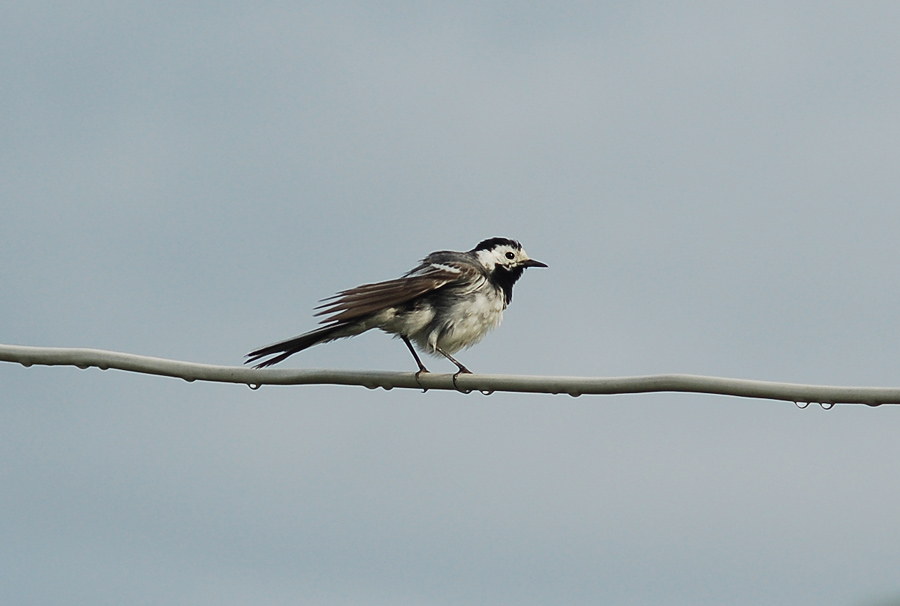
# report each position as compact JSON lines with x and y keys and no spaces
{"x":450,"y":301}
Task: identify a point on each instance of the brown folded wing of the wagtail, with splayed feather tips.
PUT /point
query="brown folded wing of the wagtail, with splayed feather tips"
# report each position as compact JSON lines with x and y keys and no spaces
{"x":368,"y":298}
